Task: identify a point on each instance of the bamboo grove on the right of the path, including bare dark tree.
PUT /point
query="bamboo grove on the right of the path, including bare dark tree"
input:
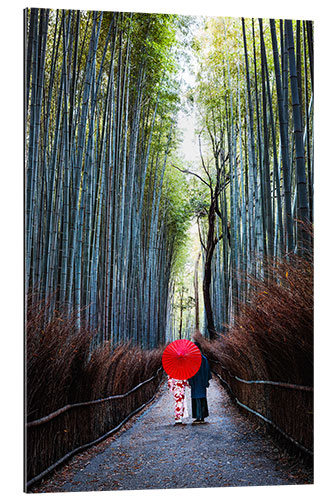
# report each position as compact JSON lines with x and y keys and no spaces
{"x":254,"y":98}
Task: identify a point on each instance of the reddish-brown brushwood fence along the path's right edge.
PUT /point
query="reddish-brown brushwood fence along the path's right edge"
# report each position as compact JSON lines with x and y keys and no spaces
{"x":266,"y":358}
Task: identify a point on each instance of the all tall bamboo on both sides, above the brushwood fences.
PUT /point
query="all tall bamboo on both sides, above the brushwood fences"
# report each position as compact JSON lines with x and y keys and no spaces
{"x":107,"y":212}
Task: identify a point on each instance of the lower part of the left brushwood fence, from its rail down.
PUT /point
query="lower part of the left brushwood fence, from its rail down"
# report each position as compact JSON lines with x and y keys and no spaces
{"x":56,"y":437}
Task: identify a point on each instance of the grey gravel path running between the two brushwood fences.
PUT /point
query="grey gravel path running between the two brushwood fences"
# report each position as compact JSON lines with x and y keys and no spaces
{"x":152,"y":453}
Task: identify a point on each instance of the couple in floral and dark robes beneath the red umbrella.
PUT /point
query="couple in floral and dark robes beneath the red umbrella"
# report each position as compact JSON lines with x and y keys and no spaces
{"x":198,"y":384}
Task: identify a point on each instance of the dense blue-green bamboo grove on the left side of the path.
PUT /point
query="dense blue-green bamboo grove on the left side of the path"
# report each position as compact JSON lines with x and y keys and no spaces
{"x":102,"y":219}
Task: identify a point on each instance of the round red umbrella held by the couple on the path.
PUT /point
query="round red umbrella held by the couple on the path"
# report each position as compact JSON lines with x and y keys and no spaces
{"x":181,"y":359}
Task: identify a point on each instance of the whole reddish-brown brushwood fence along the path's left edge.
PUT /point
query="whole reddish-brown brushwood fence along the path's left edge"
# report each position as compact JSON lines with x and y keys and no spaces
{"x":77,"y":394}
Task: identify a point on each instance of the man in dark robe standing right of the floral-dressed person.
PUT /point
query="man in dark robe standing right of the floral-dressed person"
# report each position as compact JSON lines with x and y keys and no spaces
{"x":199,"y":383}
